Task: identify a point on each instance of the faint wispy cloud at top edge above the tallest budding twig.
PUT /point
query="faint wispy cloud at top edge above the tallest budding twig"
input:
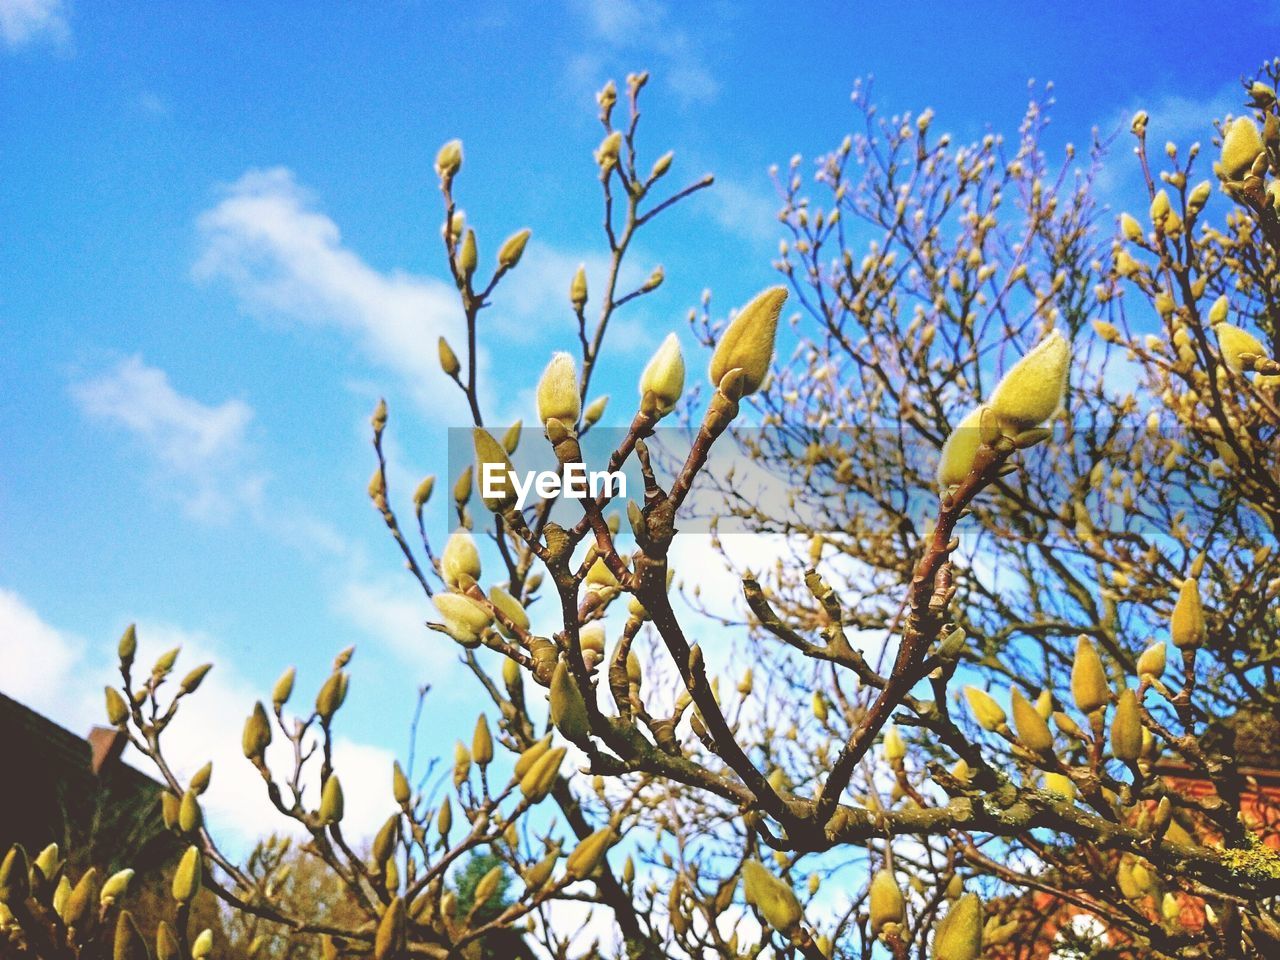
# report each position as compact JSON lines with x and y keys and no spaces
{"x":633,"y":29}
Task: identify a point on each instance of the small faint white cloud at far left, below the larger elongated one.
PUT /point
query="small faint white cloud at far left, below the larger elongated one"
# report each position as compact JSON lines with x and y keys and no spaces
{"x":200,"y":450}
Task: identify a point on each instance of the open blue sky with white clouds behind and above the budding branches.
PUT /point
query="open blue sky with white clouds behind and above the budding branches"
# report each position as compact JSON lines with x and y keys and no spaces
{"x":220,"y":246}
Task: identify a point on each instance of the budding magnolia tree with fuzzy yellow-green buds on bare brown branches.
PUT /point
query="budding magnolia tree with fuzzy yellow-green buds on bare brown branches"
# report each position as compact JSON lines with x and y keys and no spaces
{"x":1023,"y":454}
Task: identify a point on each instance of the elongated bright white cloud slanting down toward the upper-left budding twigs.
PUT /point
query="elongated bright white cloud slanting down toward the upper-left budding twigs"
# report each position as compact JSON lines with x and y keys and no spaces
{"x":285,"y":258}
